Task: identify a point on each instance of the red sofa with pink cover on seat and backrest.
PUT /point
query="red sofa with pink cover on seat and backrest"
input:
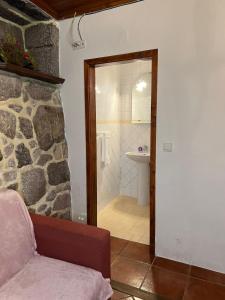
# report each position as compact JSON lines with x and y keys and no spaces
{"x":66,"y":261}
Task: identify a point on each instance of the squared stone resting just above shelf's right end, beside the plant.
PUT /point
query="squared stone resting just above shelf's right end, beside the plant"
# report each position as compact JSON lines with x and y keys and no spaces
{"x":47,"y":59}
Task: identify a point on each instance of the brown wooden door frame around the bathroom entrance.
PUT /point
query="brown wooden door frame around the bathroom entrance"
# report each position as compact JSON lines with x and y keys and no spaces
{"x":90,"y":113}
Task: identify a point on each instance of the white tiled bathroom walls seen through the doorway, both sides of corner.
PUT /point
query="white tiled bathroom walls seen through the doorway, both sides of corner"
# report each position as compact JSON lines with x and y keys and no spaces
{"x":113,"y":111}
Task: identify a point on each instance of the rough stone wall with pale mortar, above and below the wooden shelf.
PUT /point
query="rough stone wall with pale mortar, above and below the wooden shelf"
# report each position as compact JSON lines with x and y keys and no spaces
{"x":33,"y":148}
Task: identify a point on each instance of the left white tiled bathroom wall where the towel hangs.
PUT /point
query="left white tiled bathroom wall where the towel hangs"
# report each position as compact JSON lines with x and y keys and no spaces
{"x":108,"y":116}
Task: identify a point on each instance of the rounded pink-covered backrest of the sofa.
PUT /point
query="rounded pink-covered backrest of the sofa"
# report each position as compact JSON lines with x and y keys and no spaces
{"x":17,"y":242}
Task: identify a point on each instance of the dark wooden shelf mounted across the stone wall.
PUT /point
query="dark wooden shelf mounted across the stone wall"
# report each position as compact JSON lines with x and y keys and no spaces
{"x":30,"y":73}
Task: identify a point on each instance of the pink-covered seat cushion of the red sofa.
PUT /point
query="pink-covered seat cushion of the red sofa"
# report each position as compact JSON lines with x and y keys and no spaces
{"x":47,"y":278}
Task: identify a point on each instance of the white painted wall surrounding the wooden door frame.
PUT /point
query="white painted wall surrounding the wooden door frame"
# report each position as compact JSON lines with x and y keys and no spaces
{"x":190,"y":36}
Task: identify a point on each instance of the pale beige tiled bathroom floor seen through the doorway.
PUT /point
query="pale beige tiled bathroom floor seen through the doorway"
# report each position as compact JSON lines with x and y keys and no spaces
{"x":125,"y":219}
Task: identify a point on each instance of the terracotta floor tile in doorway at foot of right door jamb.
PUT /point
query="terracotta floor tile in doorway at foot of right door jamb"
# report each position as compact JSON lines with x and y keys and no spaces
{"x":137,"y":251}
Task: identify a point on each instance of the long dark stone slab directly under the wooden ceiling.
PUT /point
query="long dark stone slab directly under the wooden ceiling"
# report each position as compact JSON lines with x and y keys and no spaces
{"x":30,"y":9}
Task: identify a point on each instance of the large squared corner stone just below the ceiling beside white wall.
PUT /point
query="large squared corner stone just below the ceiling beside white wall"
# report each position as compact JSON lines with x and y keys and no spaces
{"x":41,"y":35}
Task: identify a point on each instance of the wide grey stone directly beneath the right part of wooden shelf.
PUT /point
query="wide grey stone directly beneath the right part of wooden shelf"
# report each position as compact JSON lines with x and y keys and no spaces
{"x":39,"y":91}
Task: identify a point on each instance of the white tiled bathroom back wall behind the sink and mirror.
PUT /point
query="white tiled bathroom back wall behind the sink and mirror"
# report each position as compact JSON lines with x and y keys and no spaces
{"x":132,"y":135}
